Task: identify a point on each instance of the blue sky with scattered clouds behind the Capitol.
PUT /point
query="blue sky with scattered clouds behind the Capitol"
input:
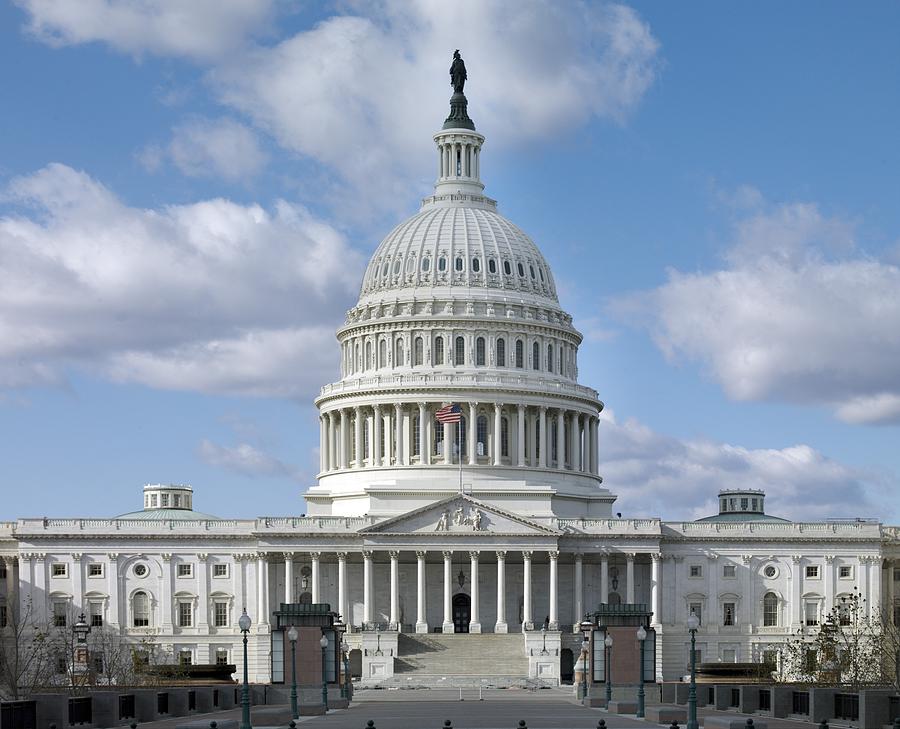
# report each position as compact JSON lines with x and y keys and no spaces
{"x":189,"y":193}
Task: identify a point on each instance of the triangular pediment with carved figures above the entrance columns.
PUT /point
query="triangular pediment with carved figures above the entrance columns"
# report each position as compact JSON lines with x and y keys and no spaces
{"x":460,"y":514}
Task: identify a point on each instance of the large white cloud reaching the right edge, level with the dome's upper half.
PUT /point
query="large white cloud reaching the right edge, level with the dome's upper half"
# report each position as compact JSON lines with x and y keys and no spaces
{"x":795,"y":314}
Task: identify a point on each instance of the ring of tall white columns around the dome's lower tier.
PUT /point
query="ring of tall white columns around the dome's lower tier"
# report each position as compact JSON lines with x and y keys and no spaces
{"x":384,"y":435}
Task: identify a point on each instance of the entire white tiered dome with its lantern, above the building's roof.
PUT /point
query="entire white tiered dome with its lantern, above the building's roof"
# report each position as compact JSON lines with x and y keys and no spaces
{"x":458,"y":306}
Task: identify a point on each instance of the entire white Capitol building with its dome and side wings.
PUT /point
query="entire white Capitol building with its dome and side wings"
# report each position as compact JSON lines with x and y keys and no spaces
{"x":490,"y":537}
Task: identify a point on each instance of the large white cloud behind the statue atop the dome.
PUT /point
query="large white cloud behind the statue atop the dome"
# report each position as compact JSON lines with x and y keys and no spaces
{"x":362,"y":93}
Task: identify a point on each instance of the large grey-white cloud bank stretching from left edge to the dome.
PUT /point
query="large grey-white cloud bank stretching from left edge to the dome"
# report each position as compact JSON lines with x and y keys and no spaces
{"x":212,"y":296}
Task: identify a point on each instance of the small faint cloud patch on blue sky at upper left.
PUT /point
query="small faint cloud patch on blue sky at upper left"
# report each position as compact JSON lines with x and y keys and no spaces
{"x":216,"y":148}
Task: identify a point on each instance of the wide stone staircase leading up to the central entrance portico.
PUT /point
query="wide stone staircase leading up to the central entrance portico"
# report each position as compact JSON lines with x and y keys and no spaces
{"x":436,"y":659}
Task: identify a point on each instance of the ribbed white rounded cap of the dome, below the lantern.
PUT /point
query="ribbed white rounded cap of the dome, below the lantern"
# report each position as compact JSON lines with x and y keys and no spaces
{"x":451,"y":245}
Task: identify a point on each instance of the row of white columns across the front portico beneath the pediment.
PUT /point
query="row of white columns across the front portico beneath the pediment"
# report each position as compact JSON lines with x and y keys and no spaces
{"x":483,"y":563}
